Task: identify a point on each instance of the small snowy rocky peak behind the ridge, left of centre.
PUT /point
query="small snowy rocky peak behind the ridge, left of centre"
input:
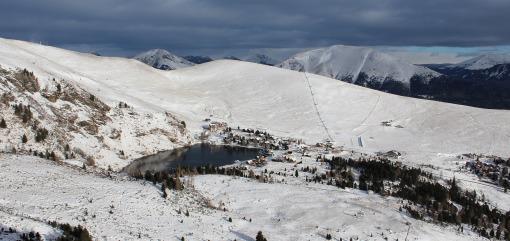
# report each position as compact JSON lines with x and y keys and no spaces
{"x":162,"y":59}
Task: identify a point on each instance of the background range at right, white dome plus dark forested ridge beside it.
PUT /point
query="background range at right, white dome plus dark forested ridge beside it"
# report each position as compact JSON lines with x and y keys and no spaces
{"x":480,"y":82}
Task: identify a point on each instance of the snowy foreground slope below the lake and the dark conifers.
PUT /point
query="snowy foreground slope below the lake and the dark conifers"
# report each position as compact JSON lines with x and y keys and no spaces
{"x":119,"y":209}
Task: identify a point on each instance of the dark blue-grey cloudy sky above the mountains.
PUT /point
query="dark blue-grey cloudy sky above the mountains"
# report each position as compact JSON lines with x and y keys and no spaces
{"x":431,"y":31}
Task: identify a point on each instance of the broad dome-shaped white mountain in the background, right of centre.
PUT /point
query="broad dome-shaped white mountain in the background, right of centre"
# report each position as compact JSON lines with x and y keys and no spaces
{"x":349,"y":63}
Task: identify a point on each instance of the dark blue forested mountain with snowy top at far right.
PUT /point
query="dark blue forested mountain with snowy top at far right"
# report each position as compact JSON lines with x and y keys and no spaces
{"x":483,"y":81}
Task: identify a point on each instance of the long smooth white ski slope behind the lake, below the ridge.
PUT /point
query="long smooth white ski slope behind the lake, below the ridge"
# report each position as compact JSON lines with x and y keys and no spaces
{"x":277,"y":100}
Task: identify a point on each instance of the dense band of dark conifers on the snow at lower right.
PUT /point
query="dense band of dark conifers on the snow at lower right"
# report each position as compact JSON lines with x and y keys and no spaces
{"x":428,"y":198}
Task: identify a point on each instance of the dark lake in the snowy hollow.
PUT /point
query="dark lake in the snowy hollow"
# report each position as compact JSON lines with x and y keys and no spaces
{"x":193,"y":156}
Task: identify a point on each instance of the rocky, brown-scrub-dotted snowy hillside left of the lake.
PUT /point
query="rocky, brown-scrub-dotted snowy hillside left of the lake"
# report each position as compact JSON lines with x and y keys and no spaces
{"x":79,"y":125}
